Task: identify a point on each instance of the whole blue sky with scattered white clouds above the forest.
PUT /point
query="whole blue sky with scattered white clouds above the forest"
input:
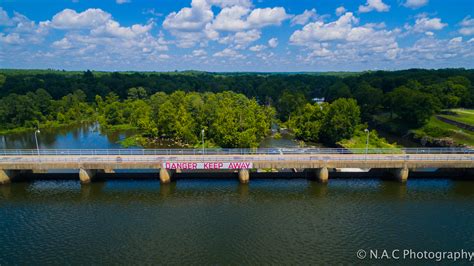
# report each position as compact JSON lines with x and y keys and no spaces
{"x":236,"y":35}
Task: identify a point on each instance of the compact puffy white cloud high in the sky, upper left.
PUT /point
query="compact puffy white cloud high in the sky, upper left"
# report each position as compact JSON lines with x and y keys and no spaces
{"x":70,"y":19}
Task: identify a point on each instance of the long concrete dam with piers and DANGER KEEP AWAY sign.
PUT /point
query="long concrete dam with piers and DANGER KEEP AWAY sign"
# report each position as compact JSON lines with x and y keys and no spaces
{"x":316,"y":163}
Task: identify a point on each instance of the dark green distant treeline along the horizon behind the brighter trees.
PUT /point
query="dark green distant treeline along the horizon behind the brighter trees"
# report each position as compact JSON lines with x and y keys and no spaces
{"x":409,"y":95}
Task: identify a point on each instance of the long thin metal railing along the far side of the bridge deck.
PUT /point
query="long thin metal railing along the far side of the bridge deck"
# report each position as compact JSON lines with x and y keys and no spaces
{"x":260,"y":151}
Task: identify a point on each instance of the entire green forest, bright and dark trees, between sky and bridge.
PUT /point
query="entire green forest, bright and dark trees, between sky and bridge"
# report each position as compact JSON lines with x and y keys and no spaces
{"x":234,"y":109}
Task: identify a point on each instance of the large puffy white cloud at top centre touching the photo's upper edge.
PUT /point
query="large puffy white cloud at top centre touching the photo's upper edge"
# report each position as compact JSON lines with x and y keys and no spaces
{"x":197,"y":24}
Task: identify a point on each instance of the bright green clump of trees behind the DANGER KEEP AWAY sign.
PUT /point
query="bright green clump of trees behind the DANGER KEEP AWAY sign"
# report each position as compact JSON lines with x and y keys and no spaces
{"x":228,"y":119}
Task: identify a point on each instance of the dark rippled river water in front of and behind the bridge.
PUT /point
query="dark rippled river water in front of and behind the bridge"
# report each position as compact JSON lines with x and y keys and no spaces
{"x":220,"y":221}
